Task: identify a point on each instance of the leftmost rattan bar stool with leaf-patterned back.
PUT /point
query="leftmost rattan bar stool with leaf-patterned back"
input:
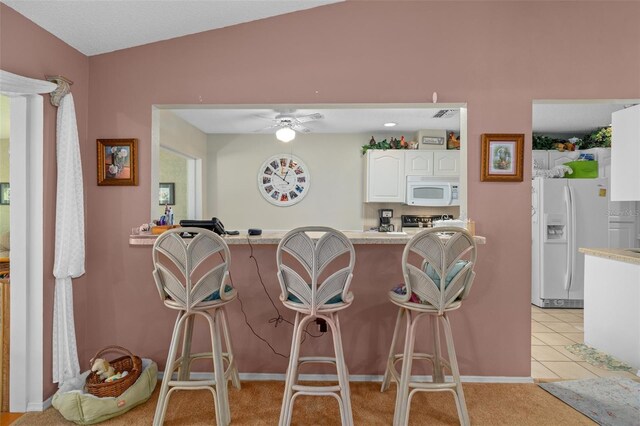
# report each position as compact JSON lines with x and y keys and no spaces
{"x":191,"y":275}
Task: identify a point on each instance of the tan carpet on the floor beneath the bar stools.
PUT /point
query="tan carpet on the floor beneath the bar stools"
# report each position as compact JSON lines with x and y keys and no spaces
{"x":258,"y":403}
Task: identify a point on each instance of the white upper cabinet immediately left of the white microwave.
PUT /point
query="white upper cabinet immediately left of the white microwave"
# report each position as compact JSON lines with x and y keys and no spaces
{"x":385,"y":177}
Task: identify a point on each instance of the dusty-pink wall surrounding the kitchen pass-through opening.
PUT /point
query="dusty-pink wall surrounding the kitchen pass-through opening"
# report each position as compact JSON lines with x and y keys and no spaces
{"x":496,"y":56}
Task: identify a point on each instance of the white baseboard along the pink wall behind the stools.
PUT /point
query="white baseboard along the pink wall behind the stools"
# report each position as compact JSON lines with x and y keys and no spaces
{"x":360,"y":378}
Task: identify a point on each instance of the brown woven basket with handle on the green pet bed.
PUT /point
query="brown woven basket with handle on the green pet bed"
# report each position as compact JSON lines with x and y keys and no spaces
{"x":129,"y":362}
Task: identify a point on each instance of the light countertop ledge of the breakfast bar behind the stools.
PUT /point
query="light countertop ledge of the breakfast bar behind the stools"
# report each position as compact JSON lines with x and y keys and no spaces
{"x":274,"y":237}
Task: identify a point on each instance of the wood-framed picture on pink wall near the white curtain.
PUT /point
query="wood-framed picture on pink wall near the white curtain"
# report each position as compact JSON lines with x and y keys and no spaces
{"x":117,"y":162}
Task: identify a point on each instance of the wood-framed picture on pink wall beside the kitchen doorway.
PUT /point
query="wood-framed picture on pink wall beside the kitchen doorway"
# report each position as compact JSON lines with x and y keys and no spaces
{"x":502,"y":157}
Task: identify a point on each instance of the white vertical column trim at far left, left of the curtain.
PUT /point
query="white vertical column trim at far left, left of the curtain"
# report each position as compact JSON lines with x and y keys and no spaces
{"x":26,"y":177}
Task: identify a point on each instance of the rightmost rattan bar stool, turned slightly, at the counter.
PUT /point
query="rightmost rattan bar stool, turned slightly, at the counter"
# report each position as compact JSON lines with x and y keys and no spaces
{"x":437,"y":265}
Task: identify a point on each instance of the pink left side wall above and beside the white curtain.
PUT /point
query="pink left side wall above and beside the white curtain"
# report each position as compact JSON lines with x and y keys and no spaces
{"x":28,"y":50}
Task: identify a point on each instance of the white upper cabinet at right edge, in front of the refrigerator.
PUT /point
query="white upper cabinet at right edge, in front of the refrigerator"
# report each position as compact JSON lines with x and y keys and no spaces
{"x":625,"y":154}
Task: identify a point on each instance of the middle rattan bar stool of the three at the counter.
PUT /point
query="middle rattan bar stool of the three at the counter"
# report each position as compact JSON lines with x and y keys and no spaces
{"x":310,"y":299}
